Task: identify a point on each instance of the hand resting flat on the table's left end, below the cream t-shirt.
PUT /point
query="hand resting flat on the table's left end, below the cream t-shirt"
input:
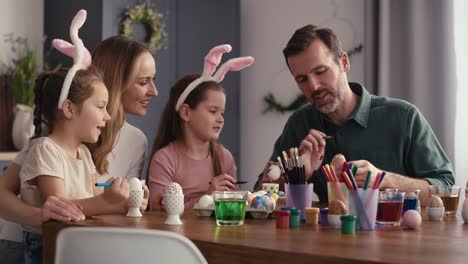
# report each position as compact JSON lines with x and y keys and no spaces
{"x":61,"y":209}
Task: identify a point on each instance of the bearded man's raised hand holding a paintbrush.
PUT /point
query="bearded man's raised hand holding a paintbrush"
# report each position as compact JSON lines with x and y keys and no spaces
{"x":313,"y":149}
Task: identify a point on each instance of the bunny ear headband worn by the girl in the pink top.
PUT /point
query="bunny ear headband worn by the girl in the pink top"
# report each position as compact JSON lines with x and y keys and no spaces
{"x":212,"y":60}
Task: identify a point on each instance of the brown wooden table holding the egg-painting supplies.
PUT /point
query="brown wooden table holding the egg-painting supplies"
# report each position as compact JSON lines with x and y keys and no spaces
{"x":258,"y":241}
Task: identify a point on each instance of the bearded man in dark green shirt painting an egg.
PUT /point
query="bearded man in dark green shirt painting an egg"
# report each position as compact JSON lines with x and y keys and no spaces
{"x":373,"y":132}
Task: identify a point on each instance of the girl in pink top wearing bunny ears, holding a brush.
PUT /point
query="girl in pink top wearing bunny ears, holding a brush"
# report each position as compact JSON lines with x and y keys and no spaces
{"x":185,"y":149}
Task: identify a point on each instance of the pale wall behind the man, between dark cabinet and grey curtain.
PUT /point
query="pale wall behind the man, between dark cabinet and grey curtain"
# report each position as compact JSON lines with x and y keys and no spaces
{"x":266,"y":26}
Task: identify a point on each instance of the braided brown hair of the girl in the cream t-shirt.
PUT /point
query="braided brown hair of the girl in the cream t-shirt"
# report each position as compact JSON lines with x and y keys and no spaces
{"x":47,"y":92}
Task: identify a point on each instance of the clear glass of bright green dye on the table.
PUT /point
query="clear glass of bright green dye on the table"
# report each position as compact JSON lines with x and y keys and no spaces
{"x":230,"y":207}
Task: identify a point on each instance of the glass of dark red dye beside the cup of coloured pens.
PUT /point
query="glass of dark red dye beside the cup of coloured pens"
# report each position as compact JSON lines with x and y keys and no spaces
{"x":390,"y":207}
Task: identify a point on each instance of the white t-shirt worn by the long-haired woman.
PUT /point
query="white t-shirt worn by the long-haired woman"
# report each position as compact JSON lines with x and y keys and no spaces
{"x":128,"y":155}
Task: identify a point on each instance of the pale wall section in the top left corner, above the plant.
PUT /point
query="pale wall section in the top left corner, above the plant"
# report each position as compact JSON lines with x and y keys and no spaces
{"x":24,"y":18}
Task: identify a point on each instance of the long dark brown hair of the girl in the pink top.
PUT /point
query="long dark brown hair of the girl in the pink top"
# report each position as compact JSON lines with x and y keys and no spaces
{"x":170,"y":124}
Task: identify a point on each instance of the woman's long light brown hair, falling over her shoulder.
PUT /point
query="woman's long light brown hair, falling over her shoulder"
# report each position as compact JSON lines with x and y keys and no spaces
{"x":116,"y":57}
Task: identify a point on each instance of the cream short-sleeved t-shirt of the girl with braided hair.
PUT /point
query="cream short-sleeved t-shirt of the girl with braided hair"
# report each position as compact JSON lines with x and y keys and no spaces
{"x":45,"y":157}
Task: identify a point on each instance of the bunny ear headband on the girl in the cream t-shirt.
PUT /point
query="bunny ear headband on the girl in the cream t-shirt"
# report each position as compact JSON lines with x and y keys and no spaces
{"x":77,"y":50}
